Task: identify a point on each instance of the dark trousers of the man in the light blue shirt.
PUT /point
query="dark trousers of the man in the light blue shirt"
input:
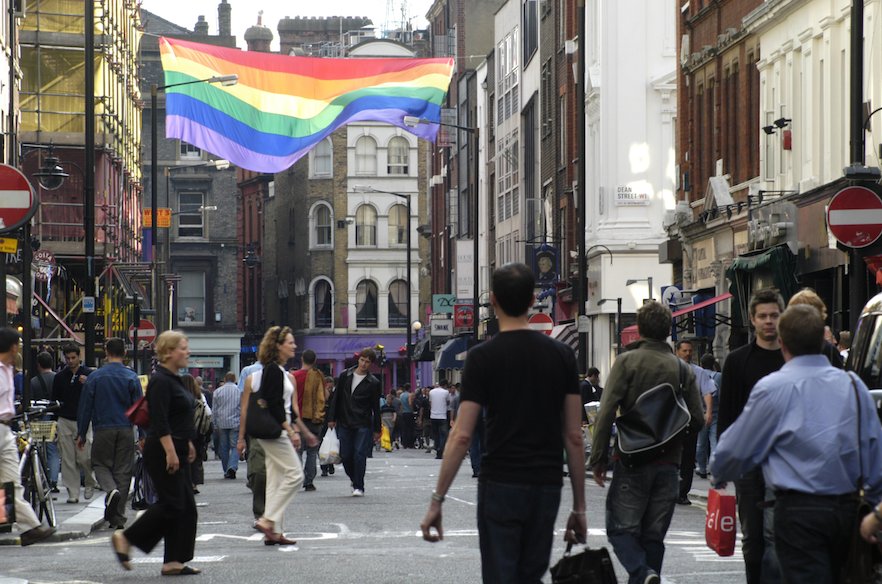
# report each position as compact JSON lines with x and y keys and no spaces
{"x":812,"y":534}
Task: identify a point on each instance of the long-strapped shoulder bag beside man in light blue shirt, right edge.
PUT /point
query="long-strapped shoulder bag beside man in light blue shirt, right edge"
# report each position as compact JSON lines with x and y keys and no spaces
{"x":863,"y":564}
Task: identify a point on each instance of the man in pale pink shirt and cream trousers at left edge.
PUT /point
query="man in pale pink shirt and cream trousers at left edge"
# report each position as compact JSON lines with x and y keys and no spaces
{"x":32,"y":530}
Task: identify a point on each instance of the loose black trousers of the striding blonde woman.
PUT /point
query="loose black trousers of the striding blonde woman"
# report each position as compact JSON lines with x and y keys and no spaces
{"x":173,"y":517}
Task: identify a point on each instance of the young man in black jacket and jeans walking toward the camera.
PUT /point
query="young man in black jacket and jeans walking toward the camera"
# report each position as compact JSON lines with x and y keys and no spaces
{"x":354,"y":410}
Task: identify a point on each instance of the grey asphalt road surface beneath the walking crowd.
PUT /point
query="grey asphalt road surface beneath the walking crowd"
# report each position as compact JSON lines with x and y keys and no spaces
{"x":350,"y":540}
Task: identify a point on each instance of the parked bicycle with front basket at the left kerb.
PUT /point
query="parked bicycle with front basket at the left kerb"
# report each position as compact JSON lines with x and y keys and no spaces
{"x":33,"y":466}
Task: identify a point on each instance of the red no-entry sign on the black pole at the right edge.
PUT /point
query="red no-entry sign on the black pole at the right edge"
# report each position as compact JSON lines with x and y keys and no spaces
{"x":854,"y":216}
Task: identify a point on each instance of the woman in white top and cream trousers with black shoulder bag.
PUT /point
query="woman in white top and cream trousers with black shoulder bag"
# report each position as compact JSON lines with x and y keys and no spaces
{"x":284,"y":474}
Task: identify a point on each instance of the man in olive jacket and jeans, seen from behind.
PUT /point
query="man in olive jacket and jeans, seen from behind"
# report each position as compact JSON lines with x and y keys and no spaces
{"x":641,"y":499}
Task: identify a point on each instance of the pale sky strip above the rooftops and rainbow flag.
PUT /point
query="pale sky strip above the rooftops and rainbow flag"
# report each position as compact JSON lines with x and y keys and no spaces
{"x":186,"y":12}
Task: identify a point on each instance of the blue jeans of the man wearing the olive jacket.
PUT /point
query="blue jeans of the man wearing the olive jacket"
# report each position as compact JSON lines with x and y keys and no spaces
{"x":639,"y":508}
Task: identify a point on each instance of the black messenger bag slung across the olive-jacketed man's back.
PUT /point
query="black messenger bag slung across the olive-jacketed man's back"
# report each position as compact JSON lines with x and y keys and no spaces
{"x":650,"y":428}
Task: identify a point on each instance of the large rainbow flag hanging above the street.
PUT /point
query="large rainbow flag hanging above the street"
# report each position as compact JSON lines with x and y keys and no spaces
{"x":283,"y":106}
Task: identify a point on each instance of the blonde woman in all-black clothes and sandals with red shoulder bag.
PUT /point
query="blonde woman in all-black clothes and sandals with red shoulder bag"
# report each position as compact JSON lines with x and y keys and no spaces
{"x":168,"y":452}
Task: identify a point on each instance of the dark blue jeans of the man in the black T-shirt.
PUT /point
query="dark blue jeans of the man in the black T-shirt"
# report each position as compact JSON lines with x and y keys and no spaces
{"x":515,"y":530}
